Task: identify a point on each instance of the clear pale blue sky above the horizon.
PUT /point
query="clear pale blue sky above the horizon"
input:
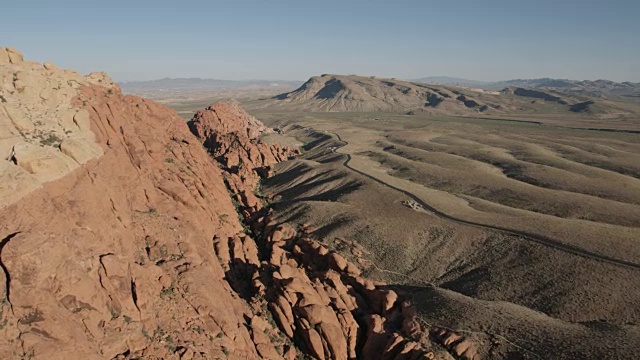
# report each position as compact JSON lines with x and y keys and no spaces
{"x":293,"y":40}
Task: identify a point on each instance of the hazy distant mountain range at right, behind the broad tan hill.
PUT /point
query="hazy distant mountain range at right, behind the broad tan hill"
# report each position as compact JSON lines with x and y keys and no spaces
{"x":606,"y":89}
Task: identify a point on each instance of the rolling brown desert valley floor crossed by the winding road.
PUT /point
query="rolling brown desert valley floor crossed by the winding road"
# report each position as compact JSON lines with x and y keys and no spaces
{"x":527,"y":231}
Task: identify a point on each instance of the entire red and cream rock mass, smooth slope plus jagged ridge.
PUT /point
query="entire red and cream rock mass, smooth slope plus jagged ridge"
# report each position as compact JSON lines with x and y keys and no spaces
{"x":127,"y":233}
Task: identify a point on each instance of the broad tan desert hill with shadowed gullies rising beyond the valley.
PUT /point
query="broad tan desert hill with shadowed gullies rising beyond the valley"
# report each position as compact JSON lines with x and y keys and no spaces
{"x":348,"y":93}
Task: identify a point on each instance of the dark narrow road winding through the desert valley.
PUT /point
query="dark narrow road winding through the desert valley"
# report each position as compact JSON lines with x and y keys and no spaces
{"x":542,"y":240}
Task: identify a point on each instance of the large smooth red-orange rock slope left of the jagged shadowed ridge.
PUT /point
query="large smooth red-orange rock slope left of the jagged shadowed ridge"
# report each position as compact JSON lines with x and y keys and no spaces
{"x":114,"y":259}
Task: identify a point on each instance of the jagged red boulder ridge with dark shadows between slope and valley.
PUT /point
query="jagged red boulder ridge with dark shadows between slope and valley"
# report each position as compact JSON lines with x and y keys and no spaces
{"x":317,"y":297}
